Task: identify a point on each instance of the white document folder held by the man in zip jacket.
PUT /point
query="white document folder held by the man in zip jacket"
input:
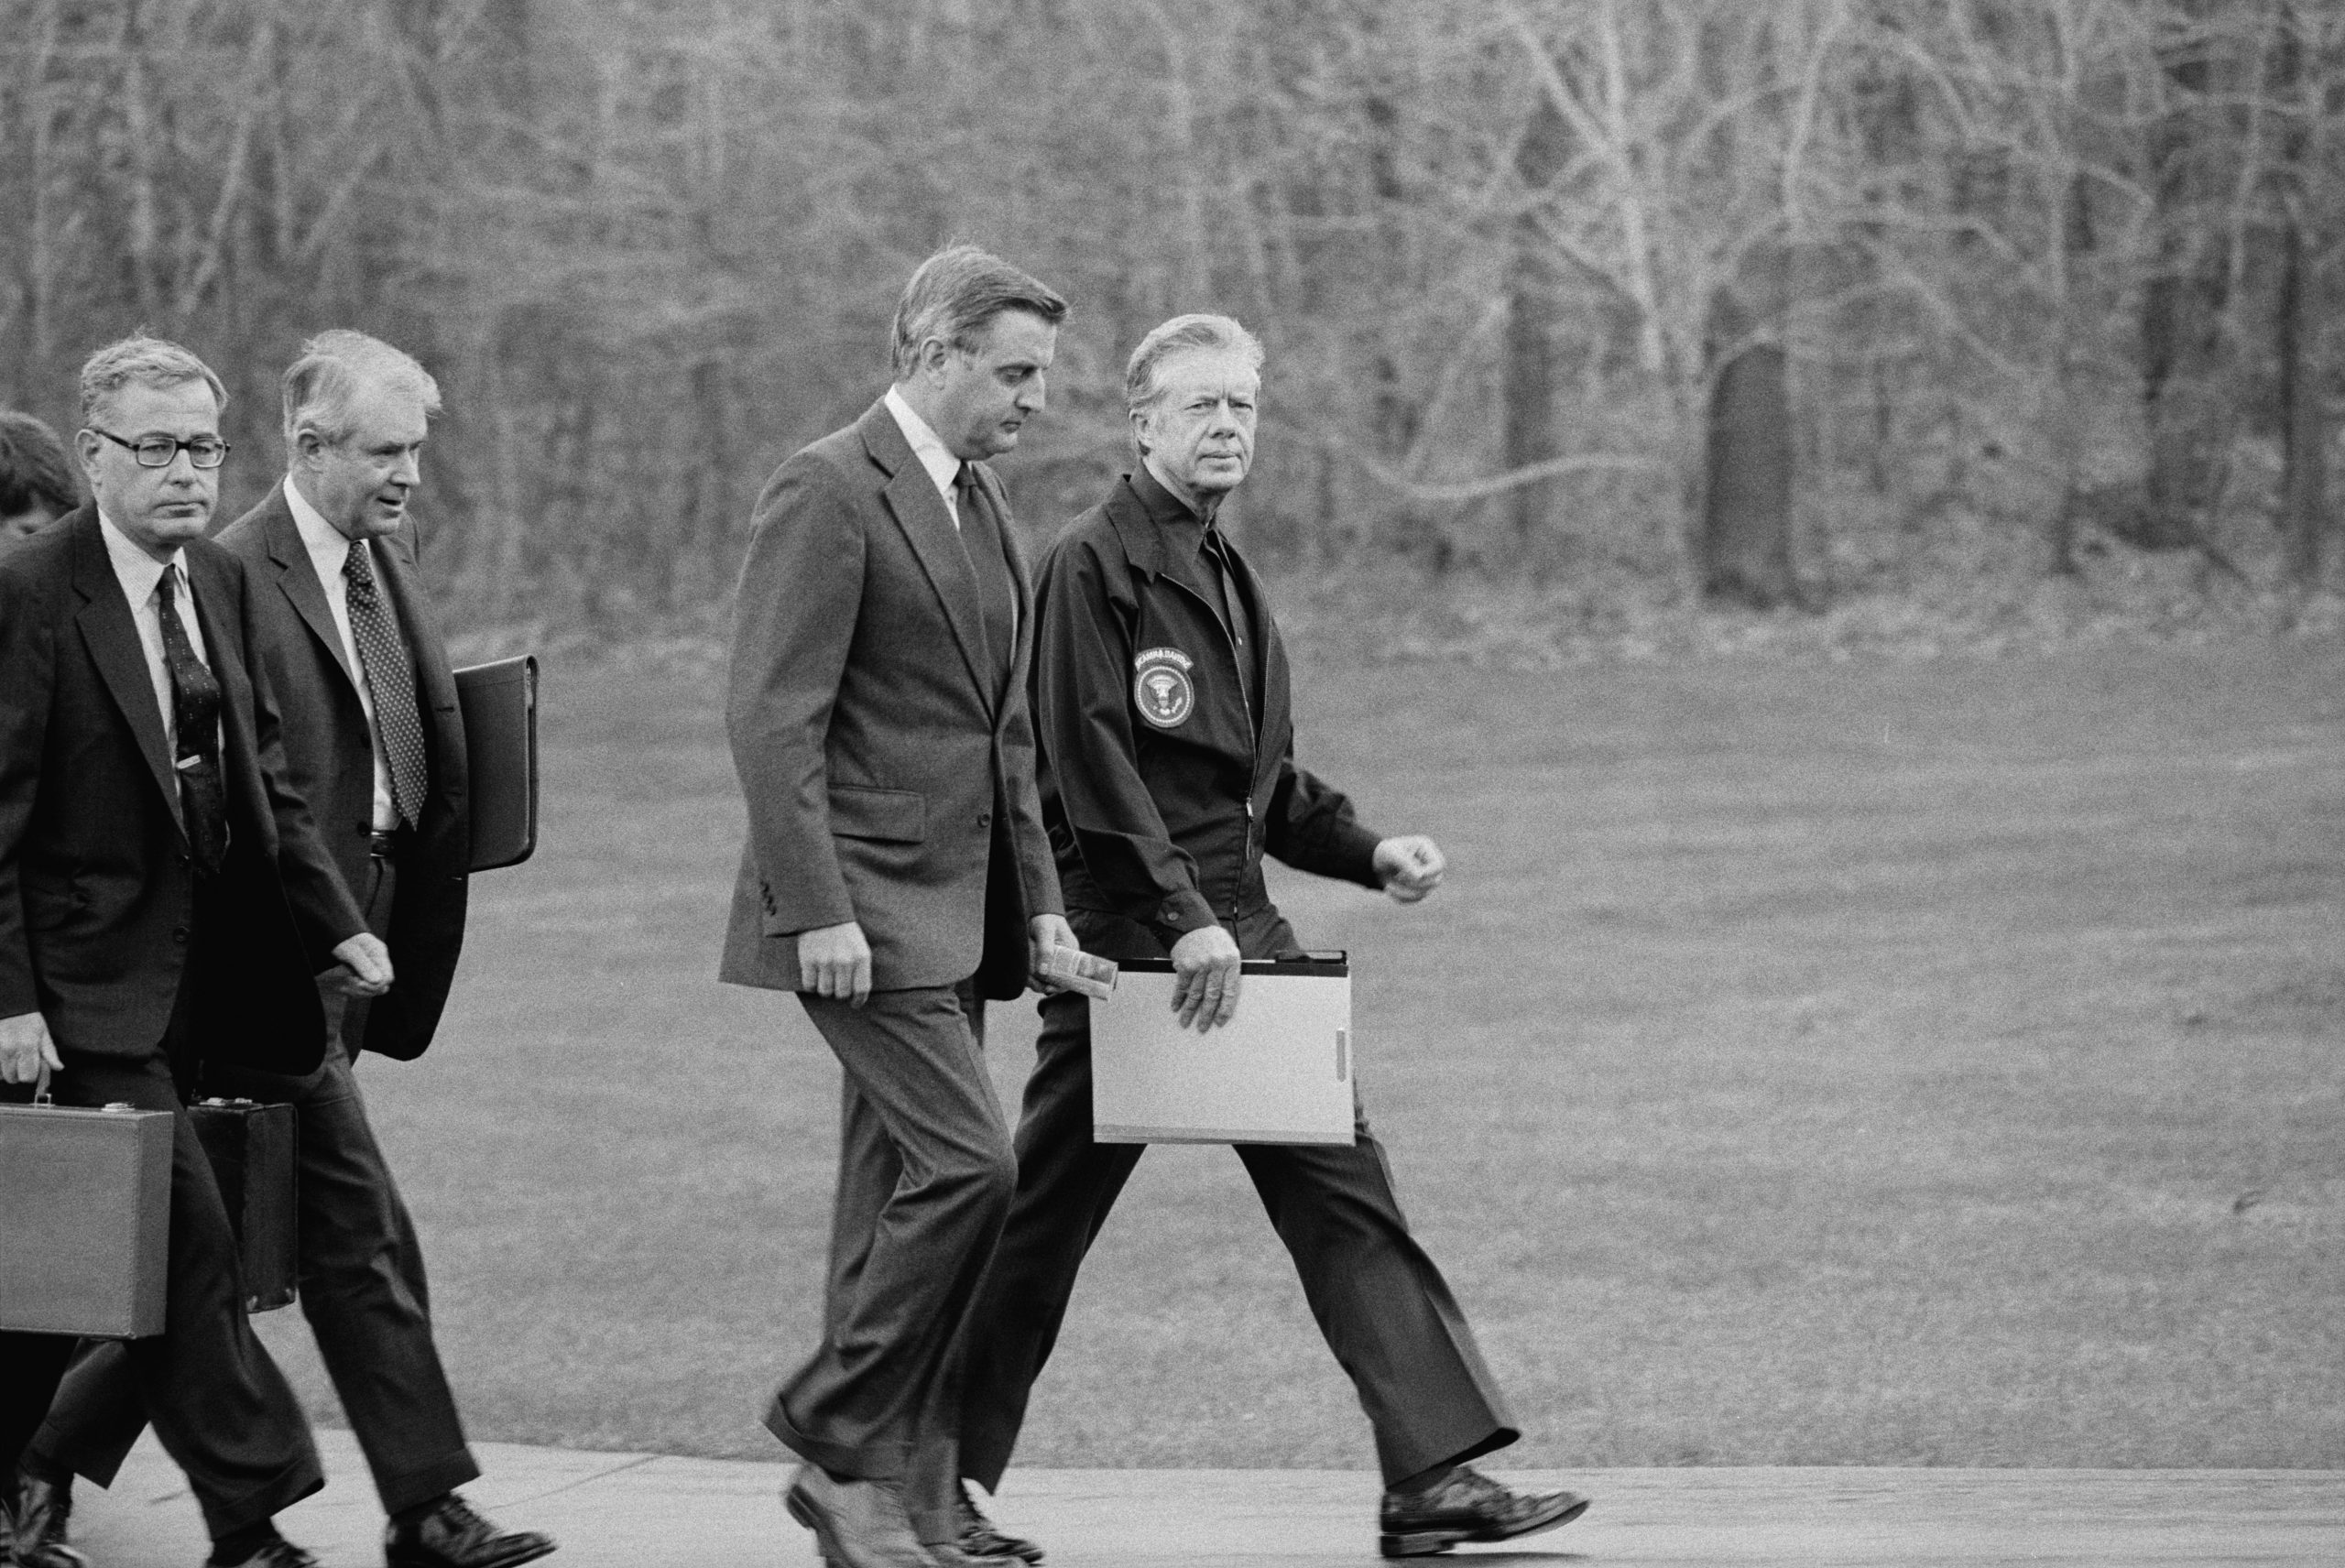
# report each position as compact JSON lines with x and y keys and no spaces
{"x":1277,"y":1075}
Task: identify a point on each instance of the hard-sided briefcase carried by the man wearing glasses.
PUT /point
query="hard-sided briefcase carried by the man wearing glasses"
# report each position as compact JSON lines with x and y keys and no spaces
{"x":86,"y":1220}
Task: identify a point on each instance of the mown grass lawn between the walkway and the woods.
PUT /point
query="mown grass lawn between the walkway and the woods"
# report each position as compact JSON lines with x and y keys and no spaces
{"x":1919,"y":1063}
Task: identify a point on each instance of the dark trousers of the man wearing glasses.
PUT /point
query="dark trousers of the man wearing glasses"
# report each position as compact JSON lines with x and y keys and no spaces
{"x":219,"y":1405}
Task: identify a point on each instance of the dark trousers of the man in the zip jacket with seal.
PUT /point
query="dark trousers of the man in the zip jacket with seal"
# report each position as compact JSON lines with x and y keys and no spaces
{"x":1380,"y":1302}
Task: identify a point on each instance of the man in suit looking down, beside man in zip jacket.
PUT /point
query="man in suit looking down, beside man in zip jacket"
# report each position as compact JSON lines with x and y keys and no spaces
{"x":897,"y":873}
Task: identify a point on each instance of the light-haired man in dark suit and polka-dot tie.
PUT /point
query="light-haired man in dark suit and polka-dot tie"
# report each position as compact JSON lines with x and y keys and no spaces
{"x":376,"y":746}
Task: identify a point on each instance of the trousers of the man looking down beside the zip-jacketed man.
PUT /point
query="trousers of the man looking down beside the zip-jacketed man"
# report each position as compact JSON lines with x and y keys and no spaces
{"x":925,"y":1182}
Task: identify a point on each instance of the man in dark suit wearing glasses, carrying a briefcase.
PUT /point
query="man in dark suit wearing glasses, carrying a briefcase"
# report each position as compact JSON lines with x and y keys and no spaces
{"x":163,"y":901}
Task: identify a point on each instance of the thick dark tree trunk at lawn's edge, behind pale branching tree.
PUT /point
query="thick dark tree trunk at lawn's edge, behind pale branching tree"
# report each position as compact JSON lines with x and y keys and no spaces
{"x":1751,"y":465}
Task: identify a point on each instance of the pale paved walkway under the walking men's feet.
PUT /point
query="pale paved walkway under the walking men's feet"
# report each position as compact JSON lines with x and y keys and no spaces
{"x":639,"y":1511}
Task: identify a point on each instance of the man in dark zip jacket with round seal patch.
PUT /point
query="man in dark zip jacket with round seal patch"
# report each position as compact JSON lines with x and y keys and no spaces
{"x":1169,"y":772}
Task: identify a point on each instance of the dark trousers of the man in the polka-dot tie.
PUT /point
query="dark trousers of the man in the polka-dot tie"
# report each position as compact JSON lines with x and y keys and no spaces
{"x":362,"y":1288}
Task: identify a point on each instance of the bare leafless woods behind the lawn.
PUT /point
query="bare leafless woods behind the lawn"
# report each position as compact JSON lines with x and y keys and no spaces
{"x":1722,"y":299}
